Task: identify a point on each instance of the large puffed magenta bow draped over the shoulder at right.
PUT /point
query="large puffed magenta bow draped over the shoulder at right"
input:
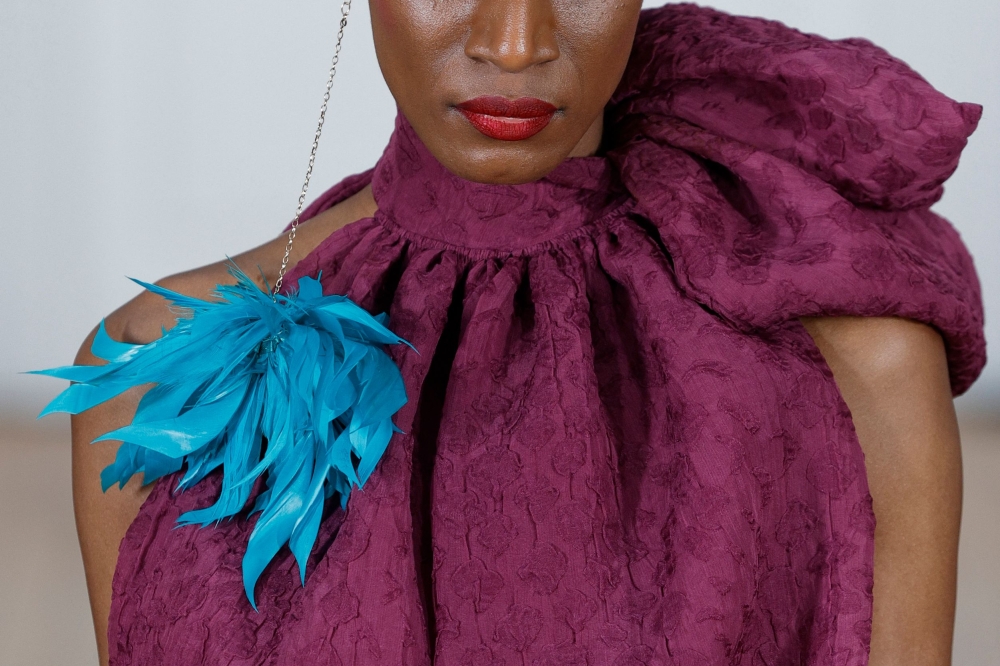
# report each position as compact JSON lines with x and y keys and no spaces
{"x":789,"y":175}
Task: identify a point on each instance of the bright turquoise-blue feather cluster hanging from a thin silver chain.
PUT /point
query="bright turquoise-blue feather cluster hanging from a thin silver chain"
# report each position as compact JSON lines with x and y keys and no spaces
{"x":298,"y":387}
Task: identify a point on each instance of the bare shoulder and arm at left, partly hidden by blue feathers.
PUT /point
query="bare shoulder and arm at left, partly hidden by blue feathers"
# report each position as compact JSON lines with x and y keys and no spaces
{"x":103,"y":518}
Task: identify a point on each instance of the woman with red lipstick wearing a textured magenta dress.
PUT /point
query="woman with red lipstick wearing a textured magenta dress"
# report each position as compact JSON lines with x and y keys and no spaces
{"x":680,"y":305}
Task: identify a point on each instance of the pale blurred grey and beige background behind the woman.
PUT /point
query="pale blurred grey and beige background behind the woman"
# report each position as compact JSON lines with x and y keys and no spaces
{"x":144,"y":138}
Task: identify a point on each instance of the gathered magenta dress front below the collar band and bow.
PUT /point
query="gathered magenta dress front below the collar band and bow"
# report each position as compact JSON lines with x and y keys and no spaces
{"x":594,"y":462}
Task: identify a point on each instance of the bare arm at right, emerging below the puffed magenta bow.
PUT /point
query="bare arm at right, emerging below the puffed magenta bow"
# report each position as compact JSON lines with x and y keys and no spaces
{"x":893,"y":376}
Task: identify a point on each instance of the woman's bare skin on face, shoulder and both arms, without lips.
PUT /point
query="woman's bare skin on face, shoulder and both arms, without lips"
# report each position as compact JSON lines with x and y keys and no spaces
{"x":892,"y":373}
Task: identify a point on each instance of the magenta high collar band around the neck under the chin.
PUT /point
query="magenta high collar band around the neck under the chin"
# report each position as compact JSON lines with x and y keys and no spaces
{"x":417,"y":194}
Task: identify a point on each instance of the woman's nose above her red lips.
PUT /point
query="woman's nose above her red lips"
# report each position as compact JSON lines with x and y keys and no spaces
{"x":513,"y":34}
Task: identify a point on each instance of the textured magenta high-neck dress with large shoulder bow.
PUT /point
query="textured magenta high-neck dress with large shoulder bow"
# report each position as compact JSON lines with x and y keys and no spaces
{"x":621,"y":446}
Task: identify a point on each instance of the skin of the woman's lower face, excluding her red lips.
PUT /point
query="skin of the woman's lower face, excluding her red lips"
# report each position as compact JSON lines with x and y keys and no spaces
{"x":571,"y":54}
